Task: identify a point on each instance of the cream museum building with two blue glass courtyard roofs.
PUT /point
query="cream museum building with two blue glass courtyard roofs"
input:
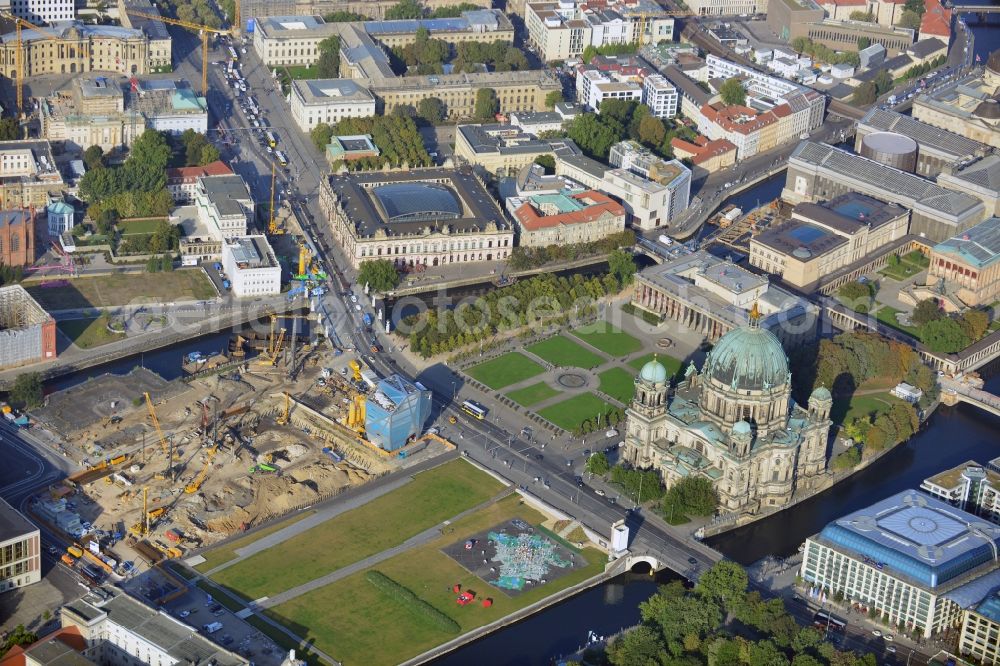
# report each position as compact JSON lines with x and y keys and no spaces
{"x":820,"y":239}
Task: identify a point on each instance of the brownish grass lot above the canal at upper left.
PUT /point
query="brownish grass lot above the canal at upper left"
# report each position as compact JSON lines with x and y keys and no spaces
{"x":122,"y":289}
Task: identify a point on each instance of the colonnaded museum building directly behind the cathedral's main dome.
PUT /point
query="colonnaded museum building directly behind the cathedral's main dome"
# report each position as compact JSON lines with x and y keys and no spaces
{"x":713,"y":296}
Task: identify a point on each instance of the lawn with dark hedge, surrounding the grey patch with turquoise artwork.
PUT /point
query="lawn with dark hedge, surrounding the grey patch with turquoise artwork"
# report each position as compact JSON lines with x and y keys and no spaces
{"x":355,"y":623}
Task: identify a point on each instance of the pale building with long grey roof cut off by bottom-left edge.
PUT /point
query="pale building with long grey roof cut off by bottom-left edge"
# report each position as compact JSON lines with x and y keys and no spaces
{"x":121,"y":629}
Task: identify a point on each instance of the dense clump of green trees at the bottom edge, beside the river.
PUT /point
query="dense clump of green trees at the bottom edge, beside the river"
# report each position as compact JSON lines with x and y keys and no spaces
{"x":682,"y":627}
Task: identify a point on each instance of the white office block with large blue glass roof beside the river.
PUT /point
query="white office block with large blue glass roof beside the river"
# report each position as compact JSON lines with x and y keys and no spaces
{"x":911,"y":559}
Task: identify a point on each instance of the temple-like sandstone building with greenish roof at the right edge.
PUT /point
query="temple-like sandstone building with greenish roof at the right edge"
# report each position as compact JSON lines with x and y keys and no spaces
{"x":969,"y":264}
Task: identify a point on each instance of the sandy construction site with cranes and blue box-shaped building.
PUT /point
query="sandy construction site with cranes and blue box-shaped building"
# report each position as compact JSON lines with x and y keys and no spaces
{"x":278,"y":422}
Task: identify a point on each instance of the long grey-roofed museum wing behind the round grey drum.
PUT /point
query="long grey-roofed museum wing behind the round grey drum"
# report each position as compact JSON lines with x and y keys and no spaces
{"x":937,"y":148}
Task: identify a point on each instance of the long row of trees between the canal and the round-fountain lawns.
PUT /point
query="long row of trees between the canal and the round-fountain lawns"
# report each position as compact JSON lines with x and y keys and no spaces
{"x":535,"y":301}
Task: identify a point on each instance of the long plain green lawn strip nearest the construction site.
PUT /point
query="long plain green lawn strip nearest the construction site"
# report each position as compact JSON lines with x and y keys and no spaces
{"x":430,"y":498}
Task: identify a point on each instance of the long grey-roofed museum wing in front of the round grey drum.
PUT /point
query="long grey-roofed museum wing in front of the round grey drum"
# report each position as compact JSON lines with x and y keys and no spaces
{"x":818,"y":172}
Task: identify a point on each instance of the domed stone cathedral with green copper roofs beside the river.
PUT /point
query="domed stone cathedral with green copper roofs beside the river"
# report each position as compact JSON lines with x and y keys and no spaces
{"x":734,"y":423}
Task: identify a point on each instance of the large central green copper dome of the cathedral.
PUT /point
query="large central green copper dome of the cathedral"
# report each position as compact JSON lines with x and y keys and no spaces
{"x":748,"y":359}
